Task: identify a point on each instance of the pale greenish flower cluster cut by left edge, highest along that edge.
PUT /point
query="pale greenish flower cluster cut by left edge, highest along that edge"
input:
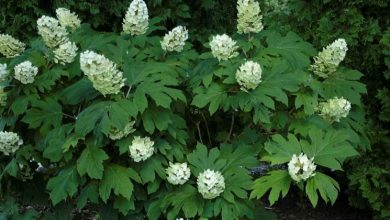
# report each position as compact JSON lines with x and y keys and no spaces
{"x":10,"y":47}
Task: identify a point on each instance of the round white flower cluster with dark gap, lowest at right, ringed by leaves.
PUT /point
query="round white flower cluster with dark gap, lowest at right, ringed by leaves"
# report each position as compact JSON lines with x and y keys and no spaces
{"x":301,"y":168}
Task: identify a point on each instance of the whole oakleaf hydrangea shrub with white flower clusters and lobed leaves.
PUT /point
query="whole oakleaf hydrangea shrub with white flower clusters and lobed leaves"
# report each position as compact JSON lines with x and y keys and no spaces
{"x":140,"y":124}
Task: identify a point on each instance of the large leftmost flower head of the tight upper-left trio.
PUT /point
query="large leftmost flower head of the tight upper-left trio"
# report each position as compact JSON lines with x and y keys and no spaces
{"x":51,"y":31}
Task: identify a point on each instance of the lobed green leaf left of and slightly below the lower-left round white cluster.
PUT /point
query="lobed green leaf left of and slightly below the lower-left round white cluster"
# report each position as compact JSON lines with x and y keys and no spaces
{"x":91,"y":162}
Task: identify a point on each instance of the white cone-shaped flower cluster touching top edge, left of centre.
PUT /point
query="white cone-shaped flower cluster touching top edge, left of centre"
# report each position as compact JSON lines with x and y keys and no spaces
{"x":136,"y":19}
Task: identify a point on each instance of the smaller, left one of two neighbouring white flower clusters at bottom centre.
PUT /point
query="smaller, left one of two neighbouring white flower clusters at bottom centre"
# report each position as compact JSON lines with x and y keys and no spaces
{"x":178,"y":173}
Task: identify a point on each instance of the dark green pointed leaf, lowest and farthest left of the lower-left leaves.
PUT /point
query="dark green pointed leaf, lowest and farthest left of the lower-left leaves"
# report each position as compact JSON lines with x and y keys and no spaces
{"x":64,"y":185}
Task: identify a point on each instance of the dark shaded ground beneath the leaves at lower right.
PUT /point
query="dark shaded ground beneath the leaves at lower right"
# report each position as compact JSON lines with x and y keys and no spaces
{"x":290,"y":209}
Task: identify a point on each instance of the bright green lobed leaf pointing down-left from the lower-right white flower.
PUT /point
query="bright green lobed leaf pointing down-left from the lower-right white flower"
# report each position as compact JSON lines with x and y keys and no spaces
{"x":278,"y":182}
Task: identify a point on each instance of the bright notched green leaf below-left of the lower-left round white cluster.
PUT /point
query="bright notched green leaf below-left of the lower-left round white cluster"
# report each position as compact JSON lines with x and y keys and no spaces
{"x":116,"y":178}
